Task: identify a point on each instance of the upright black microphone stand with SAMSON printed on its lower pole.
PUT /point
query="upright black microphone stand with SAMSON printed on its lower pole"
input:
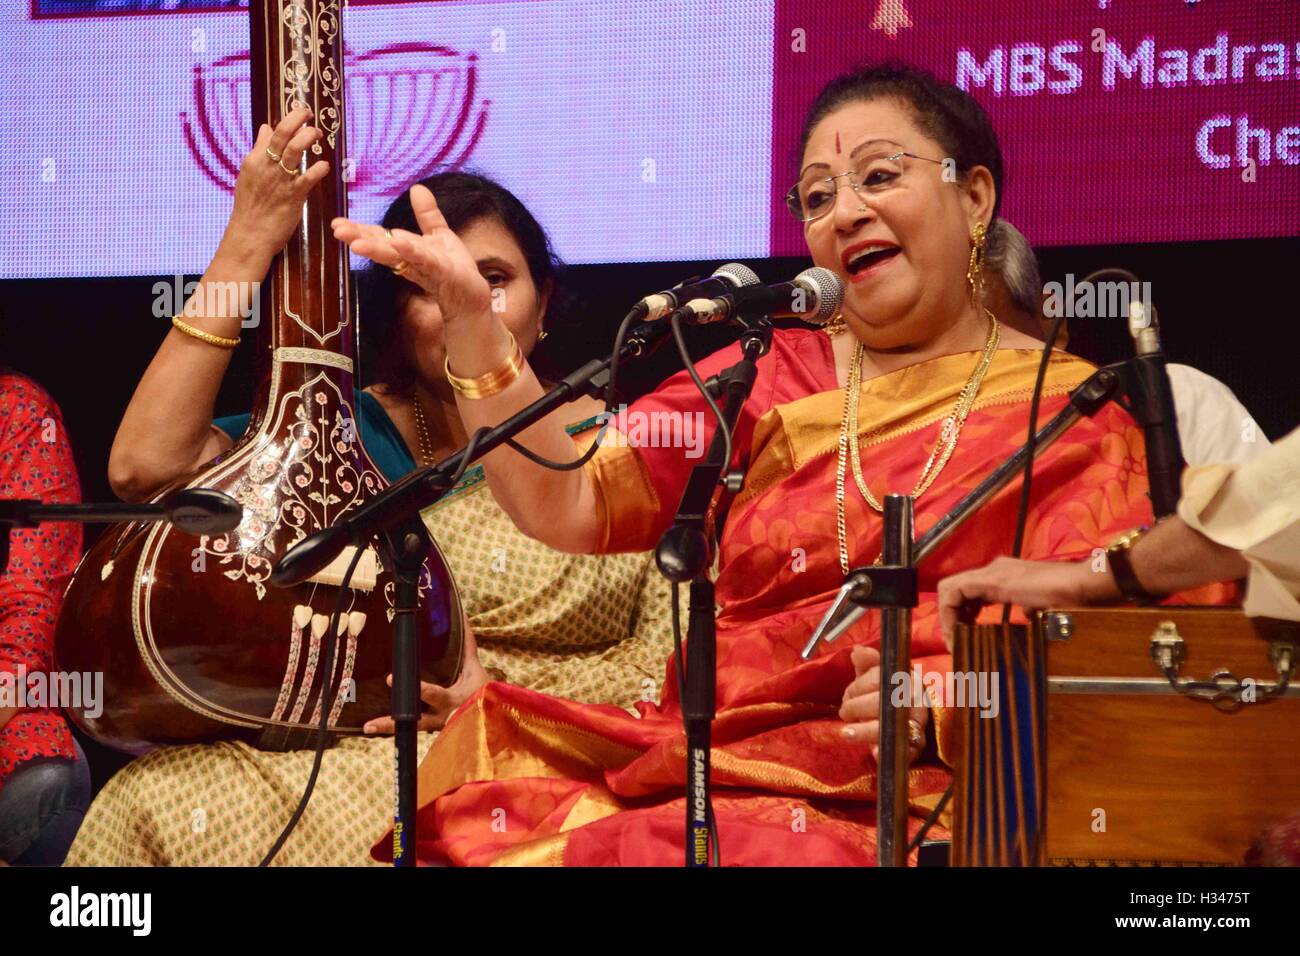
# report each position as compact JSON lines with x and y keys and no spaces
{"x":684,"y":555}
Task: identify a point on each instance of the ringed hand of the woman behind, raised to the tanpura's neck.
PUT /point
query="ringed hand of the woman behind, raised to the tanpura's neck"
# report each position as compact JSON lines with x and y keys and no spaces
{"x":270,"y":194}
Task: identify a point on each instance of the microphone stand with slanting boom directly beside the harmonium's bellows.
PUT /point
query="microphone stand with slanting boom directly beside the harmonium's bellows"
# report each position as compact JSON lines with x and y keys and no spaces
{"x":892,"y":587}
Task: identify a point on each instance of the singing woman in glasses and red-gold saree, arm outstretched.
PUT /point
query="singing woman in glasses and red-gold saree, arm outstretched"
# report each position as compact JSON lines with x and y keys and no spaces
{"x":917,"y":390}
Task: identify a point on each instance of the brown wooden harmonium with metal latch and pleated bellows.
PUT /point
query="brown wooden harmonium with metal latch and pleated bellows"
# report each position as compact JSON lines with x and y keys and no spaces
{"x":1126,"y":737}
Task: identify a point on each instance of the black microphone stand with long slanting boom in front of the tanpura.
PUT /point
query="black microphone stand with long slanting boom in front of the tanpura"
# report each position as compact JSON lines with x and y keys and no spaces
{"x":395,"y":517}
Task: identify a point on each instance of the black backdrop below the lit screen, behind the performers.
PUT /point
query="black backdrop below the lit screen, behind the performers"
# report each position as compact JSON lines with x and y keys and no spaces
{"x":1227,"y":308}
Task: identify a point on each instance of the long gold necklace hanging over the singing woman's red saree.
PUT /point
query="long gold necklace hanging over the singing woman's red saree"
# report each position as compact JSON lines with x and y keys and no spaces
{"x":952,"y":427}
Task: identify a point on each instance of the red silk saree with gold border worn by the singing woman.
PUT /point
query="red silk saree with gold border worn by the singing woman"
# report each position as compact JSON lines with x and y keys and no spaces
{"x":519,"y":777}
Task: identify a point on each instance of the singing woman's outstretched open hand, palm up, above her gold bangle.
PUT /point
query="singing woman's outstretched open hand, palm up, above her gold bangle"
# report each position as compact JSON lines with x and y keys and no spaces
{"x":436,"y":261}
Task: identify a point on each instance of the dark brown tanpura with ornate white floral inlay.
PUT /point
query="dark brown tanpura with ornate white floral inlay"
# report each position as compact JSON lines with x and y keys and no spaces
{"x":193,"y":642}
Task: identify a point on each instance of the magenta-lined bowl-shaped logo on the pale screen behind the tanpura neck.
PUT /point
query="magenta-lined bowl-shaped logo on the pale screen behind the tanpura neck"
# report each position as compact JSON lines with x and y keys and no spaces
{"x":413,"y":109}
